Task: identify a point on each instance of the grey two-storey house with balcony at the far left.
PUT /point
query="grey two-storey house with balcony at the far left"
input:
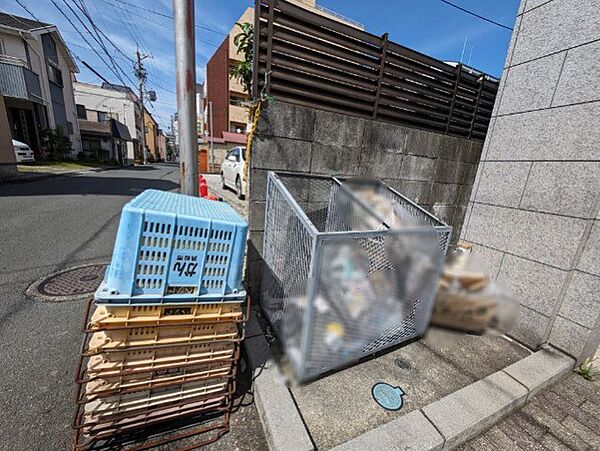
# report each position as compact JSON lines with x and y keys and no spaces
{"x":36,"y":80}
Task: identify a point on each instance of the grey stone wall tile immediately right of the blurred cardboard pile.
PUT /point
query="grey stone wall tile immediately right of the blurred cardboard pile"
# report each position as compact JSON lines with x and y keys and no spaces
{"x":536,"y":285}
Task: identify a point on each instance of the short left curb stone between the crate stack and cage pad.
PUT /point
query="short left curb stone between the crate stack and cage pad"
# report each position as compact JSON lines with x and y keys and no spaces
{"x":281,"y":421}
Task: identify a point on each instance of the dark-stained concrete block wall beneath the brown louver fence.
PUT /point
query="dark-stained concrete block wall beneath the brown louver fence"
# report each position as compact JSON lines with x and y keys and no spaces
{"x":435,"y":170}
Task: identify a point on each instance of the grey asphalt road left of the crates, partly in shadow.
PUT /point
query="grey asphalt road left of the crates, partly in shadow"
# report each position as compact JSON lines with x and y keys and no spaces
{"x":49,"y":225}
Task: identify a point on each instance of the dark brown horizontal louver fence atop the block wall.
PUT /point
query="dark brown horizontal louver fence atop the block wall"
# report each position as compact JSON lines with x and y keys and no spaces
{"x":311,"y":60}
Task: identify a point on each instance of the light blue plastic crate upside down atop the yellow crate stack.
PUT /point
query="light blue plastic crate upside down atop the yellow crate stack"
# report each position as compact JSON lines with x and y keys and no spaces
{"x":175,"y":248}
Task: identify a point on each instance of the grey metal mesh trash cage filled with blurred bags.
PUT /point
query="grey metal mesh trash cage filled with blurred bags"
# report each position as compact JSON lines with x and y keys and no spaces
{"x":350,"y":268}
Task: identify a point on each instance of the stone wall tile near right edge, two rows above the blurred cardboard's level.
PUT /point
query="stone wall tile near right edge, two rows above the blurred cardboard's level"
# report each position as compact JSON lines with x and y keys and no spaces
{"x":567,"y":188}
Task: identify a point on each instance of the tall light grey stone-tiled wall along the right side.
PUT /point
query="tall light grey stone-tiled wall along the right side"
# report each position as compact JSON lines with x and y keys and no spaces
{"x":534,"y":208}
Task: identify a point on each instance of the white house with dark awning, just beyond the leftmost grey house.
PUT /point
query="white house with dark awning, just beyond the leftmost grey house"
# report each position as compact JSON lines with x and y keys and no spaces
{"x":100,"y":103}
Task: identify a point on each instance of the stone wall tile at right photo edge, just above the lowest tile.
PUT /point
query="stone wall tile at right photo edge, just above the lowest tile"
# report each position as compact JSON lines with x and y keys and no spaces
{"x":581,"y":303}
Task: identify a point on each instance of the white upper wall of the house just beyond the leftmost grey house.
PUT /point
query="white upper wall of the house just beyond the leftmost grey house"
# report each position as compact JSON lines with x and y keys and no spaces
{"x":109,"y":101}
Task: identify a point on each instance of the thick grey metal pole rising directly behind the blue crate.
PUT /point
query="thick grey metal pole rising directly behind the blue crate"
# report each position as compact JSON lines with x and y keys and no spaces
{"x":185,"y":66}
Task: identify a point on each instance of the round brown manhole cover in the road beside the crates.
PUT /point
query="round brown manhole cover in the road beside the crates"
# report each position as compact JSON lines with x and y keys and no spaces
{"x":70,"y":284}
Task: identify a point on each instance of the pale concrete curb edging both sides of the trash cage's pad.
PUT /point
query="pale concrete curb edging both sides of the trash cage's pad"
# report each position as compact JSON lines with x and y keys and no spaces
{"x":441,"y":425}
